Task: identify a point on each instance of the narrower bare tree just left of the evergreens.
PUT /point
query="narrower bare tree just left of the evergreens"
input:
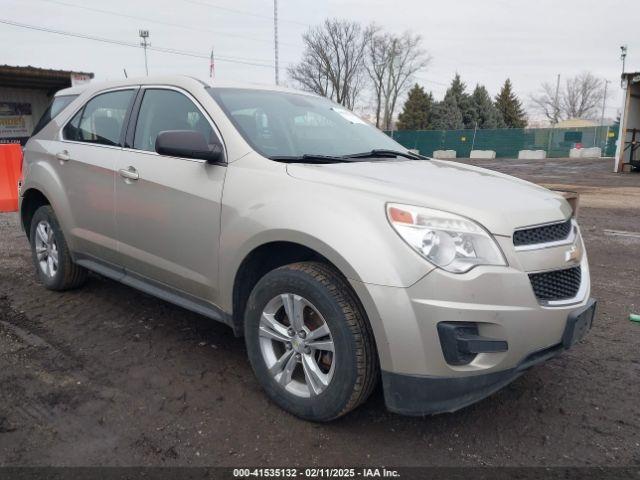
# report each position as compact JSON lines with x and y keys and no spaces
{"x":392,"y":61}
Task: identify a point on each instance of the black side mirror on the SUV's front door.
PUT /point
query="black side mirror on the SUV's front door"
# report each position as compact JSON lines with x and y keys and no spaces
{"x":188,"y":144}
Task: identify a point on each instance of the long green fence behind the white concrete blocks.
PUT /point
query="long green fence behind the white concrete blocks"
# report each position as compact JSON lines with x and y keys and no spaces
{"x":507,"y":142}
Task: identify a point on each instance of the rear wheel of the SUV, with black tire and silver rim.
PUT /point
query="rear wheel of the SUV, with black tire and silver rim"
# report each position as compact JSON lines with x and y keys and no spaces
{"x":63,"y":275}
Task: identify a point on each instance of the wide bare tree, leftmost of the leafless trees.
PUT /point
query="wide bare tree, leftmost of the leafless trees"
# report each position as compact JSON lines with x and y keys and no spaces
{"x":333,"y":61}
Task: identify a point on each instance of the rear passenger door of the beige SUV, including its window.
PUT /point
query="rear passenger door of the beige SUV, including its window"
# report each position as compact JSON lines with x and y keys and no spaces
{"x":86,"y":158}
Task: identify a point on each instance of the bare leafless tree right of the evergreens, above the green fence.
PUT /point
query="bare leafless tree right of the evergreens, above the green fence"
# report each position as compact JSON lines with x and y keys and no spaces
{"x":580,"y":97}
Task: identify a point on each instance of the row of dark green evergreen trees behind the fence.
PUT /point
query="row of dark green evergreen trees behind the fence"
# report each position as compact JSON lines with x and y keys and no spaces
{"x":461,"y":110}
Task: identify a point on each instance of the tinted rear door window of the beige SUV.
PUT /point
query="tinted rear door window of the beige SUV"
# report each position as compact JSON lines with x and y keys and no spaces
{"x":101,"y":120}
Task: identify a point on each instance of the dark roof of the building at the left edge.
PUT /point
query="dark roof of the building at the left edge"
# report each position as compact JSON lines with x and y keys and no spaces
{"x":33,"y":77}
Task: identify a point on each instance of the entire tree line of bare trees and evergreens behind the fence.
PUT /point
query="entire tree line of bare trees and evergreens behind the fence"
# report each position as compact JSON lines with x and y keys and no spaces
{"x":344,"y":60}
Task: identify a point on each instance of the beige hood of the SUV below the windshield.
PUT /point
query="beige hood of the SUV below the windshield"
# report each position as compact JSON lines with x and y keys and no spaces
{"x":501,"y":203}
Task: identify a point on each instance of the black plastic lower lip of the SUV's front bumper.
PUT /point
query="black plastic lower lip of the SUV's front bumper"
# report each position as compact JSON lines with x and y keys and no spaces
{"x":423,"y":395}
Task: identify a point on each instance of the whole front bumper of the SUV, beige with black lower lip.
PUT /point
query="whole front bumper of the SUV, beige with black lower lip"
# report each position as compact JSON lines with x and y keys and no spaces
{"x":500,"y":304}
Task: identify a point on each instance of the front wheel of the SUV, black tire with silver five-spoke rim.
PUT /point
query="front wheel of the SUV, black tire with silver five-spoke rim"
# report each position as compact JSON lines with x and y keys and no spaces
{"x":346,"y":377}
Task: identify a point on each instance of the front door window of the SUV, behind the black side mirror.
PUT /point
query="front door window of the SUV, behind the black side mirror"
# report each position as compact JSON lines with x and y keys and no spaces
{"x":163,"y":110}
